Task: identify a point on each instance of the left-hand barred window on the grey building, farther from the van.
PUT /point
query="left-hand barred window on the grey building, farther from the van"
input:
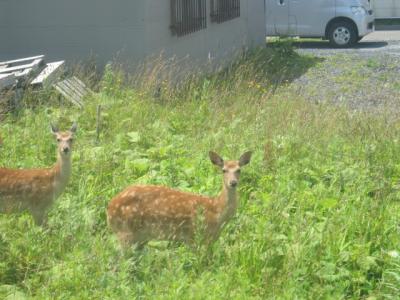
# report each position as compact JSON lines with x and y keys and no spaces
{"x":188,"y":16}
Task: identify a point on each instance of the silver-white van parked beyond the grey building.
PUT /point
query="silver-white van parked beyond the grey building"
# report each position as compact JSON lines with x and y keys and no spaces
{"x":342,"y":22}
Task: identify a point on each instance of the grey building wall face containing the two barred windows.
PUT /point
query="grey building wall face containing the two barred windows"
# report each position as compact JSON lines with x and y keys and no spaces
{"x":216,"y":42}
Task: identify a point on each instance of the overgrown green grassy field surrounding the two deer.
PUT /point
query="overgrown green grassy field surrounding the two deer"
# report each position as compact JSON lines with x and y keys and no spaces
{"x":319,"y":214}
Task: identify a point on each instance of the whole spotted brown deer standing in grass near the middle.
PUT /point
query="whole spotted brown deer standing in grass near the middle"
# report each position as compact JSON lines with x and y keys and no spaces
{"x":141,"y":213}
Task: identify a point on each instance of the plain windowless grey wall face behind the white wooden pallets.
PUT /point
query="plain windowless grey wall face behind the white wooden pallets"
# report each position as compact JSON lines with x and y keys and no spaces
{"x":71,"y":29}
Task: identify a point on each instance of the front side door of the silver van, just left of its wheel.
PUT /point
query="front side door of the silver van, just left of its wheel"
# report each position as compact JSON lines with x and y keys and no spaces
{"x":311,"y":16}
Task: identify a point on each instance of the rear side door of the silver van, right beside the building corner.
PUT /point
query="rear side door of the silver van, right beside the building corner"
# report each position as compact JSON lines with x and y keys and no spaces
{"x":277,"y":14}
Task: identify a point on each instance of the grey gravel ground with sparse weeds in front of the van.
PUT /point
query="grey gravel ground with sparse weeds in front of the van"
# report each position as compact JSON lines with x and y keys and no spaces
{"x":366,"y":77}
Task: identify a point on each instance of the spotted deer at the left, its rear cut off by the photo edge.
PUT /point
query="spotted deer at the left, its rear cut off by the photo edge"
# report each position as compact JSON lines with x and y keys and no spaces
{"x":35,"y":190}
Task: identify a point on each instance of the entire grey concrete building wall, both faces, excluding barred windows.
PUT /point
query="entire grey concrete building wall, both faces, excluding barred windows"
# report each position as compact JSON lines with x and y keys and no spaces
{"x":129,"y":29}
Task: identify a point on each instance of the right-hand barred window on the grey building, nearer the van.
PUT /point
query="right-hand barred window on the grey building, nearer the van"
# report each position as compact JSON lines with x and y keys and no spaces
{"x":224,"y":10}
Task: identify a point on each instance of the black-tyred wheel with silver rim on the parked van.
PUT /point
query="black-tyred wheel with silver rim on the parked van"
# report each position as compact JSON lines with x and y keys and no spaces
{"x":342,"y":34}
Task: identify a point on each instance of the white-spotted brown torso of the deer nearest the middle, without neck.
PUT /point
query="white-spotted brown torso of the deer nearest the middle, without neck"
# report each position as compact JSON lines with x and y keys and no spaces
{"x":158,"y":212}
